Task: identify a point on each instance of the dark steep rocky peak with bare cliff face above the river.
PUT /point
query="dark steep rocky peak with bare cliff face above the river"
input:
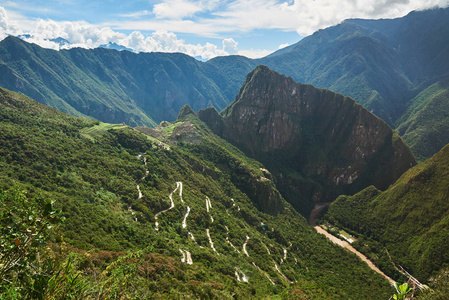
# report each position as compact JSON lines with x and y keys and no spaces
{"x":317,"y":143}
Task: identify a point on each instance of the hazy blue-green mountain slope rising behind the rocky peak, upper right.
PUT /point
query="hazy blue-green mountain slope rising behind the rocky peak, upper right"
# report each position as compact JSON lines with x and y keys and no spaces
{"x":382,"y":64}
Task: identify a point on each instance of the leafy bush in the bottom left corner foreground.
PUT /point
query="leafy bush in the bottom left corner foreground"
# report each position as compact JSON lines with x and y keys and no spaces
{"x":25,"y":224}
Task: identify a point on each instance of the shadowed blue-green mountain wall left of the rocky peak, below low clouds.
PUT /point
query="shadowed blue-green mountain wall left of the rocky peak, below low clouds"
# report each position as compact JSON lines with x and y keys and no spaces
{"x":109,"y":85}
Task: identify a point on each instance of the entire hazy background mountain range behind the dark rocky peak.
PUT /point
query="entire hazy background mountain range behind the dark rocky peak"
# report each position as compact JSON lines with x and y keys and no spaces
{"x":384,"y":65}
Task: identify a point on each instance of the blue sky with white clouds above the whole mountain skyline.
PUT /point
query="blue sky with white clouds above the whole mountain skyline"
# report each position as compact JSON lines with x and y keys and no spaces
{"x":199,"y":28}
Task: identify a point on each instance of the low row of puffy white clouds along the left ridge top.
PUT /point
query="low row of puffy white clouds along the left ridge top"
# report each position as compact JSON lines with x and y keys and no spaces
{"x":85,"y":35}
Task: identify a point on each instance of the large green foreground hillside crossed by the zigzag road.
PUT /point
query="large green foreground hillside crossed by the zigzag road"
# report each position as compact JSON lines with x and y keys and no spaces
{"x":108,"y":246}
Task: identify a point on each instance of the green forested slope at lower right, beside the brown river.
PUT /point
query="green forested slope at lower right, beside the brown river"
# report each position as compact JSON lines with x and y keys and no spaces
{"x":410,"y":219}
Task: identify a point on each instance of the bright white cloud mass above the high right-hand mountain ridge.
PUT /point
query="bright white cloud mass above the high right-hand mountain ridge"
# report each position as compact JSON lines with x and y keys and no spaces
{"x":305,"y":16}
